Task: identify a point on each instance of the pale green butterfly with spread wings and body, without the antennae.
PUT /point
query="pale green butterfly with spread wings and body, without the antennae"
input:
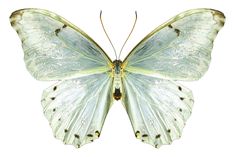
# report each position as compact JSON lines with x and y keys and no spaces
{"x":145,"y":81}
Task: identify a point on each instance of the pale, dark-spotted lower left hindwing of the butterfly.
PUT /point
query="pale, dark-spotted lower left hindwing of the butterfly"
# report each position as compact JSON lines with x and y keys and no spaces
{"x":76,"y":108}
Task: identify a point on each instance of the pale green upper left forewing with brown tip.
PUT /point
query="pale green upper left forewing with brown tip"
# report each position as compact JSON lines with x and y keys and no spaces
{"x":54,"y":48}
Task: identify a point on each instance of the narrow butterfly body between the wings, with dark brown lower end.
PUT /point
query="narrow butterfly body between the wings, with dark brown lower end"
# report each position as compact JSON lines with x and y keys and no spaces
{"x":117,"y":74}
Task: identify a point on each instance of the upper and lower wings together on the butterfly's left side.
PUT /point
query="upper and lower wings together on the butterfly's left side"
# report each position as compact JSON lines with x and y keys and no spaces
{"x":55,"y":49}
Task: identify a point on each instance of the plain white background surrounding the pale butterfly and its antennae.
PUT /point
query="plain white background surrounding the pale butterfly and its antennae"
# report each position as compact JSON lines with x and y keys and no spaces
{"x":210,"y":131}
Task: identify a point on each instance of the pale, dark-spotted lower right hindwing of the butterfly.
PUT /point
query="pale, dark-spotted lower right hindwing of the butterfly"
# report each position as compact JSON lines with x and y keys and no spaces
{"x":157,"y":108}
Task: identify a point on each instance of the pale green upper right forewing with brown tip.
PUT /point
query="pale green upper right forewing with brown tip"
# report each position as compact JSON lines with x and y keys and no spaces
{"x":179,"y":49}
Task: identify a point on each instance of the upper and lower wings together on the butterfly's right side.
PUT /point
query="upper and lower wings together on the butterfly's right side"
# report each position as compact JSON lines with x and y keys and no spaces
{"x":180,"y":49}
